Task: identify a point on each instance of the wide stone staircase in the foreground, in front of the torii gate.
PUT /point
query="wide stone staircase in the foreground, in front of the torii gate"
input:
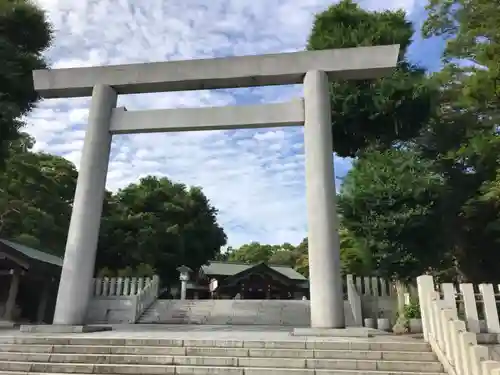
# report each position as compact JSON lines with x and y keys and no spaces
{"x":83,"y":355}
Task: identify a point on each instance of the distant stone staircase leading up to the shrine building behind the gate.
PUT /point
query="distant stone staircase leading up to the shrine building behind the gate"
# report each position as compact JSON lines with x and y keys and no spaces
{"x":233,"y":312}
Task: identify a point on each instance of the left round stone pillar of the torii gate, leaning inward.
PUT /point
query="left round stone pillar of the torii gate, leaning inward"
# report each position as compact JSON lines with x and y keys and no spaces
{"x":79,"y":259}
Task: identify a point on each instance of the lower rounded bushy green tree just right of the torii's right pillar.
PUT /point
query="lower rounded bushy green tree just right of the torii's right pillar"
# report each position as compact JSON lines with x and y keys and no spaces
{"x":390,"y":201}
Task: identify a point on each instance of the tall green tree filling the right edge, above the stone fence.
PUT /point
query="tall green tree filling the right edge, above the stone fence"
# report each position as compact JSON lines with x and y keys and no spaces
{"x":465,"y":141}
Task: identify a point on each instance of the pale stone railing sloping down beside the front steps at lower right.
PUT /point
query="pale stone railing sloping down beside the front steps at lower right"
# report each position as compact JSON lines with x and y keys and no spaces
{"x":456,"y":348}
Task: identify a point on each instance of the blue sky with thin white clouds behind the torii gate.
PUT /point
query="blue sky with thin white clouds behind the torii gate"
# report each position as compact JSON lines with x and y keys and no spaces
{"x":254,"y":177}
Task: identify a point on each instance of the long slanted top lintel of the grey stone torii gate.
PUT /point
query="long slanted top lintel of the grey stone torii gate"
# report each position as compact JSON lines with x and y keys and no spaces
{"x":218,"y":73}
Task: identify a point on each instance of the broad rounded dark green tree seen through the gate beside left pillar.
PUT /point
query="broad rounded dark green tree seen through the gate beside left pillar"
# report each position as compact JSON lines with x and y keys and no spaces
{"x":161,"y":224}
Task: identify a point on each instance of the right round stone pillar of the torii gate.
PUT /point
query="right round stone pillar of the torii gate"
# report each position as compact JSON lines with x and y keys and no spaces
{"x":325,"y":280}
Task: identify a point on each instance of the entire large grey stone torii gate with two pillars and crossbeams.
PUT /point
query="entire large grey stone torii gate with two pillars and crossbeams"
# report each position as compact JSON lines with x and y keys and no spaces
{"x":312,"y":68}
